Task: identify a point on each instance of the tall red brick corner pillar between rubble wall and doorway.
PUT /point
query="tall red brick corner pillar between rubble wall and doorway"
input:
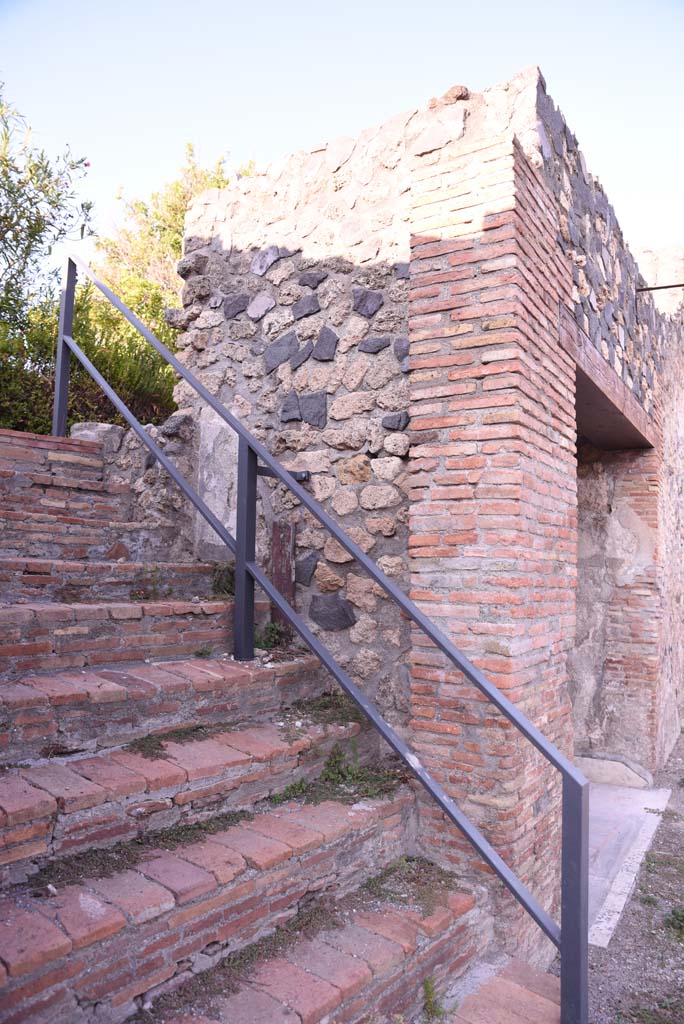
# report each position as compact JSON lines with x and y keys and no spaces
{"x":493,"y":514}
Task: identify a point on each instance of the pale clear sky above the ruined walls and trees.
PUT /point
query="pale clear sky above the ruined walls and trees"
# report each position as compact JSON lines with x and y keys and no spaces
{"x":127,"y":83}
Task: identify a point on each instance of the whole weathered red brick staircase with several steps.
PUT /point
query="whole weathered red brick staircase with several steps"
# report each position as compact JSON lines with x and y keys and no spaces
{"x":161,"y":856}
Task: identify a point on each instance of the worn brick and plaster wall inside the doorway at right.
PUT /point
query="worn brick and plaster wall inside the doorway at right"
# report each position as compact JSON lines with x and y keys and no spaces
{"x":617,"y":667}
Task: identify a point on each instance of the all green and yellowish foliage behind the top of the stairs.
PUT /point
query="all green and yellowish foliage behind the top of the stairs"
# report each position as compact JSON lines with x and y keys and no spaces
{"x":39,"y":207}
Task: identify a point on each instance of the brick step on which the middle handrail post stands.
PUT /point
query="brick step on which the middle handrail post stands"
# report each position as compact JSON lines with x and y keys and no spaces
{"x":94,"y":710}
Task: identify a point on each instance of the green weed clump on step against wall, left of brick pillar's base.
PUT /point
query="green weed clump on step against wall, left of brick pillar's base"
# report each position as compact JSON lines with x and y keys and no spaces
{"x":346,"y":782}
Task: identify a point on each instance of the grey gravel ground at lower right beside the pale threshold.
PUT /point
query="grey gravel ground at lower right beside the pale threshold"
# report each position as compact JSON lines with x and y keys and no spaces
{"x":639,"y":979}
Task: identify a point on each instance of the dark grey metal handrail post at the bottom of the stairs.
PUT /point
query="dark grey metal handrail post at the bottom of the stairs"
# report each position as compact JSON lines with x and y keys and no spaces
{"x":575,"y":905}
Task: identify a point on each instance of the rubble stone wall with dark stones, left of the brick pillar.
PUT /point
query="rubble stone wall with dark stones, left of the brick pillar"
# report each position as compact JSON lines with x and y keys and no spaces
{"x":296,"y":317}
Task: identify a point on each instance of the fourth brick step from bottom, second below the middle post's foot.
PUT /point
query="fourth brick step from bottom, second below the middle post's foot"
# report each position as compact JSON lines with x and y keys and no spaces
{"x":63,"y":806}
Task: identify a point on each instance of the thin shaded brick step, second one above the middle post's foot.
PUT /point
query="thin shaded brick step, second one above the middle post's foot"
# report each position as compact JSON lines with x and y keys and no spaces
{"x":79,"y":582}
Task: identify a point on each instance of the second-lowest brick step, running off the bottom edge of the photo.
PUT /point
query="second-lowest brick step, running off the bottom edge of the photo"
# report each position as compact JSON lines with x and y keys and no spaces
{"x":372,"y":967}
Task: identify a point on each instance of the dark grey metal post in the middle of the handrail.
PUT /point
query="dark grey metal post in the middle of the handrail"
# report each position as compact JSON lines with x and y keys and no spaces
{"x":245,"y":551}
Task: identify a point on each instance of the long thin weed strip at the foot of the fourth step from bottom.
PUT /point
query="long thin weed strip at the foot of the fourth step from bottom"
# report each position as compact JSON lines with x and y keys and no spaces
{"x":105,"y":864}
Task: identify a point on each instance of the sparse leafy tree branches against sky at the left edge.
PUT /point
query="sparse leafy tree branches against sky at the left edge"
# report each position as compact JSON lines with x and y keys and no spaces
{"x":39,"y":207}
